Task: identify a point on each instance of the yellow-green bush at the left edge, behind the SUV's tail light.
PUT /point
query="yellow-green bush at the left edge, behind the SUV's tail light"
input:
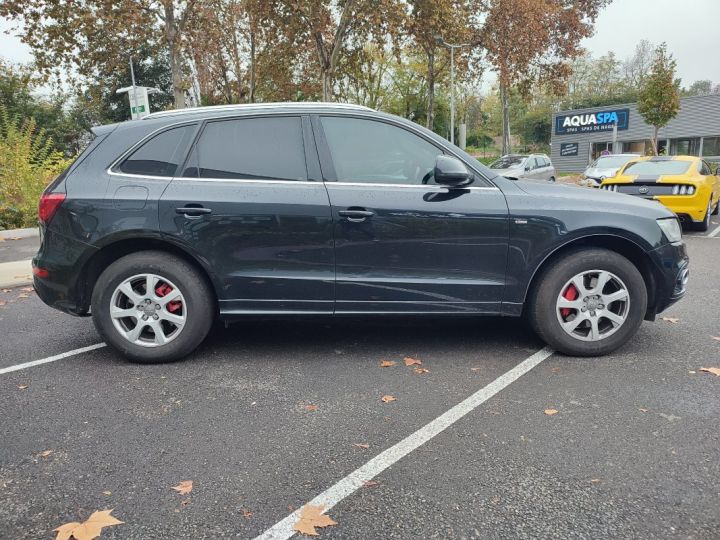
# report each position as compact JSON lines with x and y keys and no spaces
{"x":28,"y":163}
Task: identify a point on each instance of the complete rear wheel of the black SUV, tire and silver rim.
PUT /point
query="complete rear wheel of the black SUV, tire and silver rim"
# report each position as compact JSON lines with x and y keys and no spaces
{"x":152,"y":307}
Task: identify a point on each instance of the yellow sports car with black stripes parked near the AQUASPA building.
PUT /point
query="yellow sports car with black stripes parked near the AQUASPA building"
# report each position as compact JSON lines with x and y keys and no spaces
{"x":684,"y":184}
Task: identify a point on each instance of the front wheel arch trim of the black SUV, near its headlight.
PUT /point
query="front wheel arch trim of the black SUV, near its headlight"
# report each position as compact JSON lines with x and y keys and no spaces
{"x":621,"y":245}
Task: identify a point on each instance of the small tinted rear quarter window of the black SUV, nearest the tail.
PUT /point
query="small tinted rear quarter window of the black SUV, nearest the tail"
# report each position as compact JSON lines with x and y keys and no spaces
{"x":161,"y":155}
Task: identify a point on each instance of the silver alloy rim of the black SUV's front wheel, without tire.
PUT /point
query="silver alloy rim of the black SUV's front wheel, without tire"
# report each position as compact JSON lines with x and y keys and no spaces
{"x":593,"y":305}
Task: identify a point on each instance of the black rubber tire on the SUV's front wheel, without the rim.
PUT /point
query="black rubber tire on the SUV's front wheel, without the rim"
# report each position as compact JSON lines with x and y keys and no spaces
{"x":553,"y":278}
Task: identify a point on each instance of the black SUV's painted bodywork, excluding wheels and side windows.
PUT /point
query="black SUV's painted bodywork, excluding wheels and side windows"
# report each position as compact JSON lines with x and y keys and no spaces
{"x":320,"y":243}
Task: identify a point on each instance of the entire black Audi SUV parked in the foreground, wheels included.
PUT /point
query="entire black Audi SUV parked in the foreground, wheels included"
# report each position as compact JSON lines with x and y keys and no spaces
{"x":166,"y":223}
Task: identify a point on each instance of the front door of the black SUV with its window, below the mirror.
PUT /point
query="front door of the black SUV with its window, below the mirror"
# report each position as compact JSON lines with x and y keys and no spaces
{"x":402,"y":243}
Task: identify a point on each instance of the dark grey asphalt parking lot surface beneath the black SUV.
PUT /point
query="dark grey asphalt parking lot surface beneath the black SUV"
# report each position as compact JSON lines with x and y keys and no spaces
{"x":265,"y":416}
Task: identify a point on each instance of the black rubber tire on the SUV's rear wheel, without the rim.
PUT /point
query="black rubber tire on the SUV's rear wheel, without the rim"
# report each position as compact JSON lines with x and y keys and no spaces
{"x":199,"y":300}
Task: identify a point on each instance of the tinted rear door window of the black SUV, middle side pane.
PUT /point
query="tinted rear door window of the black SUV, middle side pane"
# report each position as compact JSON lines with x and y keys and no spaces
{"x":250,"y":148}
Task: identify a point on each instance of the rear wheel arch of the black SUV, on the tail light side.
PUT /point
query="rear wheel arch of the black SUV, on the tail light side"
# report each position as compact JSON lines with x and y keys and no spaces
{"x":112,"y":251}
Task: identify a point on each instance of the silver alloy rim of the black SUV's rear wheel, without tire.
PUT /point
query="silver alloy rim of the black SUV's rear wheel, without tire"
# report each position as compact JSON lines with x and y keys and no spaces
{"x":148,"y":310}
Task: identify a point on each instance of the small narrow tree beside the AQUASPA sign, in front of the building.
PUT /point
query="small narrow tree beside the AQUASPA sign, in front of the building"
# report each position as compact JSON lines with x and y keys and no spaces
{"x":659,"y":99}
